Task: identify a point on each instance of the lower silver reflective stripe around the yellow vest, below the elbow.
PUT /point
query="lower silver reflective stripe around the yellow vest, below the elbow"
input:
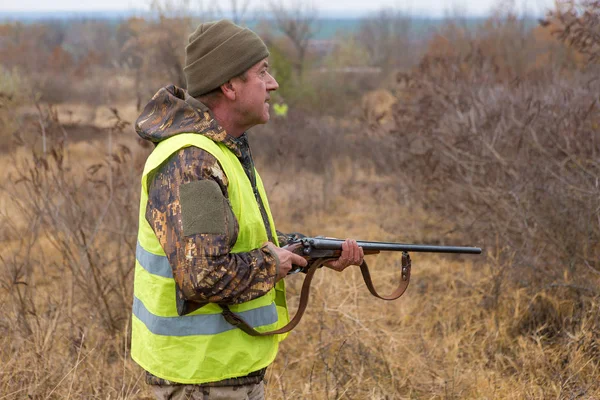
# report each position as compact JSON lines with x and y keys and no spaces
{"x":201,"y":324}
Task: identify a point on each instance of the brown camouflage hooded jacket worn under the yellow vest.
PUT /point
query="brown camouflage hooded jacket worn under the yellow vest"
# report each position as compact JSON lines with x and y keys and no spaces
{"x":203,"y":267}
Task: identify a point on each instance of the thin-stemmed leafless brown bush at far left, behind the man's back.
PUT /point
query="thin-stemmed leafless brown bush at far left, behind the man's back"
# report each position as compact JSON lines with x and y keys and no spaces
{"x":88,"y":217}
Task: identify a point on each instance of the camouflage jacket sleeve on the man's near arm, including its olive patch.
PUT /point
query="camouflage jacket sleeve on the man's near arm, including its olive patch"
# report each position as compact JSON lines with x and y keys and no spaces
{"x":198,"y":245}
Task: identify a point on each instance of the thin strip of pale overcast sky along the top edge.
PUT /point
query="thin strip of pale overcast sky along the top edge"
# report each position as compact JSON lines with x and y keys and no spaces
{"x":428,"y":7}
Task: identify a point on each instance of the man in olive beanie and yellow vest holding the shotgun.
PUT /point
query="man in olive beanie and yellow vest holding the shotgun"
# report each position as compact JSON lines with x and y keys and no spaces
{"x":206,"y":236}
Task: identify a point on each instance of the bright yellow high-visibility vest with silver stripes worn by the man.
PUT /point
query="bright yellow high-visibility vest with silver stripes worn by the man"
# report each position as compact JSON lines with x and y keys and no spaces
{"x":202,"y":347}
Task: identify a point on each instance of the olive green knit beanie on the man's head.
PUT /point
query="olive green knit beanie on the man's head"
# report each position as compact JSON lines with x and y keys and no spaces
{"x":218,"y":51}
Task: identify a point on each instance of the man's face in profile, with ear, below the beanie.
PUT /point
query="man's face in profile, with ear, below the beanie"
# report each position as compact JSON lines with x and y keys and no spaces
{"x":253,"y":94}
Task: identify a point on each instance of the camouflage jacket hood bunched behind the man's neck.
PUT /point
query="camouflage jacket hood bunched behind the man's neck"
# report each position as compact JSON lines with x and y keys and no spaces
{"x":172,"y":111}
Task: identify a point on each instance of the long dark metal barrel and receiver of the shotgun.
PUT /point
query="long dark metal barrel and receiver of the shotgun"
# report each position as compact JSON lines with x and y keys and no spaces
{"x":335,"y":244}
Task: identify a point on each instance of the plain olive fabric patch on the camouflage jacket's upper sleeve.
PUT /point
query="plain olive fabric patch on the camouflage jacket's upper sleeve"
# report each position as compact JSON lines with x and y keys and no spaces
{"x":204,"y":209}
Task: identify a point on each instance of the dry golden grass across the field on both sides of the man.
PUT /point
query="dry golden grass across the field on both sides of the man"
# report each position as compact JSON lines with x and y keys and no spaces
{"x":444,"y":339}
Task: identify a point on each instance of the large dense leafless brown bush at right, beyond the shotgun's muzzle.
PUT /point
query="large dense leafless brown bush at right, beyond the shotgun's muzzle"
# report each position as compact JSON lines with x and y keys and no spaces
{"x":511,"y":156}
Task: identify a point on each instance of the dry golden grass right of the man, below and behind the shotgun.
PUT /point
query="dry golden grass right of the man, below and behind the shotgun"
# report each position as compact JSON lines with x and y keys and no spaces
{"x":449,"y":337}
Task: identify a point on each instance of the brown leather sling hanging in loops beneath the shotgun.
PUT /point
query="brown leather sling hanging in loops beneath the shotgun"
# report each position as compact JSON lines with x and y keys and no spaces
{"x":239,"y":322}
